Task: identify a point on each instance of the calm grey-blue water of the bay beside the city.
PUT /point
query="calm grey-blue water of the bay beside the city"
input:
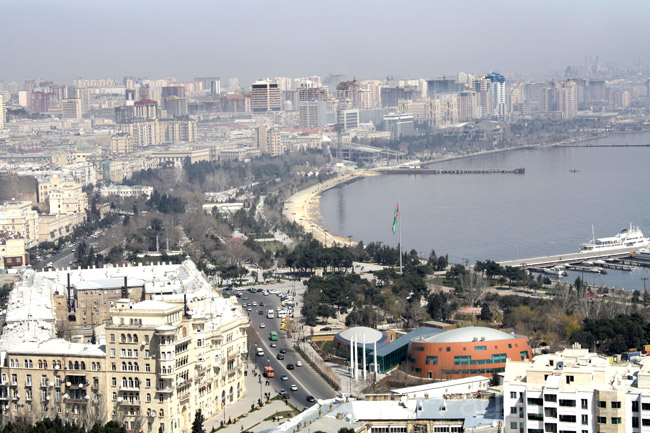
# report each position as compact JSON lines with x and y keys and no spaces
{"x":548,"y":210}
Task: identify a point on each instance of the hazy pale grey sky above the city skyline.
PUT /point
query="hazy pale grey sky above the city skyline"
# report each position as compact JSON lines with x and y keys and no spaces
{"x":64,"y":39}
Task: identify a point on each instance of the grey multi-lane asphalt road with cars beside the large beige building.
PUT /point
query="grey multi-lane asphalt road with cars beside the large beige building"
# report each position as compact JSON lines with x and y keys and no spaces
{"x":308,"y":381}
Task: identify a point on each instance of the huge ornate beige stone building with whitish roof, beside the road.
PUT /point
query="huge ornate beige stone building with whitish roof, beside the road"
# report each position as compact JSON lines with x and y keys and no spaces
{"x":151,"y":366}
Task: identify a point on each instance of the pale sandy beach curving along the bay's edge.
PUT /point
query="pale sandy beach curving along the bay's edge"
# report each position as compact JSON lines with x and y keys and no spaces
{"x":303,"y":207}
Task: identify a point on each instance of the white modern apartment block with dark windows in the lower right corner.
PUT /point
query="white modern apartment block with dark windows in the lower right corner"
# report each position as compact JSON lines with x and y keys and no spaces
{"x":576,"y":391}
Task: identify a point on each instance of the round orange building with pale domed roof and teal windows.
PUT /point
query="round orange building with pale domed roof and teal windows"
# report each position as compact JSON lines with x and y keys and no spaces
{"x":465,"y":352}
